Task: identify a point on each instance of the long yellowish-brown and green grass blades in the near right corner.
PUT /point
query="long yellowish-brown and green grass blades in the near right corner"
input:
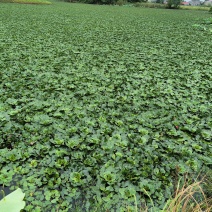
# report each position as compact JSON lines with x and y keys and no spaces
{"x":188,"y":197}
